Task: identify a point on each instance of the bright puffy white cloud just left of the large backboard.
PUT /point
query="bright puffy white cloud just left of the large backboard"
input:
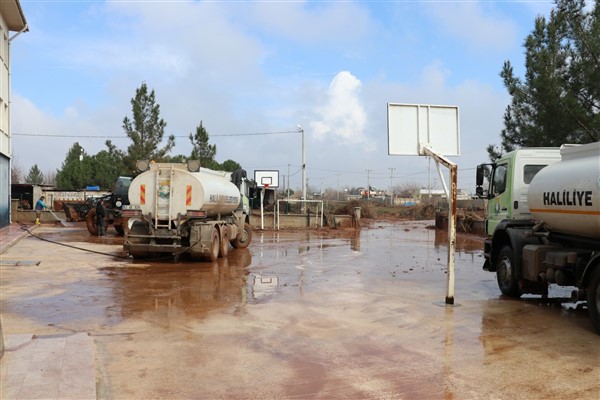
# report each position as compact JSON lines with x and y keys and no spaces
{"x":342,"y":117}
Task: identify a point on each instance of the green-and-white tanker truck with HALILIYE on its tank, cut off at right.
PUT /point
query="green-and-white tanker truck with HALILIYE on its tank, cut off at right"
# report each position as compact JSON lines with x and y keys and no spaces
{"x":543,"y":221}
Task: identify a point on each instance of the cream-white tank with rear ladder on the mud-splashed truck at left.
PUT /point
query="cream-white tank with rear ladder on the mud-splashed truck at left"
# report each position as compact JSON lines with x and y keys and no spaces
{"x":172,"y":190}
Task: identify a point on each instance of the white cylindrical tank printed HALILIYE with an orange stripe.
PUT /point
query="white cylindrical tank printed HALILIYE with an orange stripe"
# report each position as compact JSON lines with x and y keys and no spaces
{"x":566,"y":195}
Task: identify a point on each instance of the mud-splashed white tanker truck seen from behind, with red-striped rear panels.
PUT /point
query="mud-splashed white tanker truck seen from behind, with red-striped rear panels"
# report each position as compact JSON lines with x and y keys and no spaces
{"x":182,"y":208}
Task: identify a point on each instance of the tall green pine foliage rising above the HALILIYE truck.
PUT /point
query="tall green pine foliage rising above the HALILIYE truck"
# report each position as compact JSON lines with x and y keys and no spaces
{"x":559,"y":99}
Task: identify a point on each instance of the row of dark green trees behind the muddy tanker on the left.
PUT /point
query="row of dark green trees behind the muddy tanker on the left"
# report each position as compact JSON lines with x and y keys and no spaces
{"x":146,"y":130}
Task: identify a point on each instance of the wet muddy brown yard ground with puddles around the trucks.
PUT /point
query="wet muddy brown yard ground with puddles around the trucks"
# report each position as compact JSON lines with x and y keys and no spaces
{"x":301,"y":315}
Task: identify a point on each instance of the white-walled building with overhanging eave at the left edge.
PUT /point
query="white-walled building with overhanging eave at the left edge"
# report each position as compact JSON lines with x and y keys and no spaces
{"x":13,"y":20}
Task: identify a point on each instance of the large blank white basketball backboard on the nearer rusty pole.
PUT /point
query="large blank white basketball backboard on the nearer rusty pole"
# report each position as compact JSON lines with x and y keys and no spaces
{"x":414,"y":126}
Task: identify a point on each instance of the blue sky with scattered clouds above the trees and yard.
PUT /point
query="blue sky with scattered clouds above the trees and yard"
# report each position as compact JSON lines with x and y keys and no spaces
{"x":253,"y":71}
